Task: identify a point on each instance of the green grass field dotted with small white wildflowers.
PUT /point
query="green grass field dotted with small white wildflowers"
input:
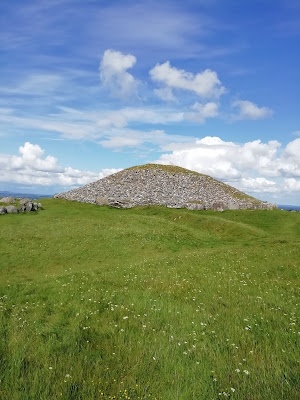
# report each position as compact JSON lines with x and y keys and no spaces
{"x":149,"y":303}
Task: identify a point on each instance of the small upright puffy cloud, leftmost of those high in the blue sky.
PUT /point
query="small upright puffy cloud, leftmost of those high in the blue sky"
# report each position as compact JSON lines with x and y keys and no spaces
{"x":113,"y":73}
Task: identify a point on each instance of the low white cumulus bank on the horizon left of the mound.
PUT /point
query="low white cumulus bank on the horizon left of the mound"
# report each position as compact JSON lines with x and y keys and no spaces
{"x":31,"y":167}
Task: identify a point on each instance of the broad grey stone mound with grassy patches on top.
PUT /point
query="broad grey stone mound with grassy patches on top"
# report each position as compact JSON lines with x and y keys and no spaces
{"x":155,"y":184}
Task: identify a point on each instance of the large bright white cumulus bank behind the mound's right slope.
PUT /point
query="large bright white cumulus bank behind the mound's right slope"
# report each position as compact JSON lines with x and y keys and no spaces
{"x":253,"y":167}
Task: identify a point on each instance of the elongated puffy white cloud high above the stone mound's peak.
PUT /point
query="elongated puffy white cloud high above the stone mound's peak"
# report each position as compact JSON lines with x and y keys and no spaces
{"x":205,"y":84}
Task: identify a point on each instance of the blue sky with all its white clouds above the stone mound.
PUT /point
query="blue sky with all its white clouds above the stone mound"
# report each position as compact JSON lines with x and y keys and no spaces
{"x":90,"y":87}
